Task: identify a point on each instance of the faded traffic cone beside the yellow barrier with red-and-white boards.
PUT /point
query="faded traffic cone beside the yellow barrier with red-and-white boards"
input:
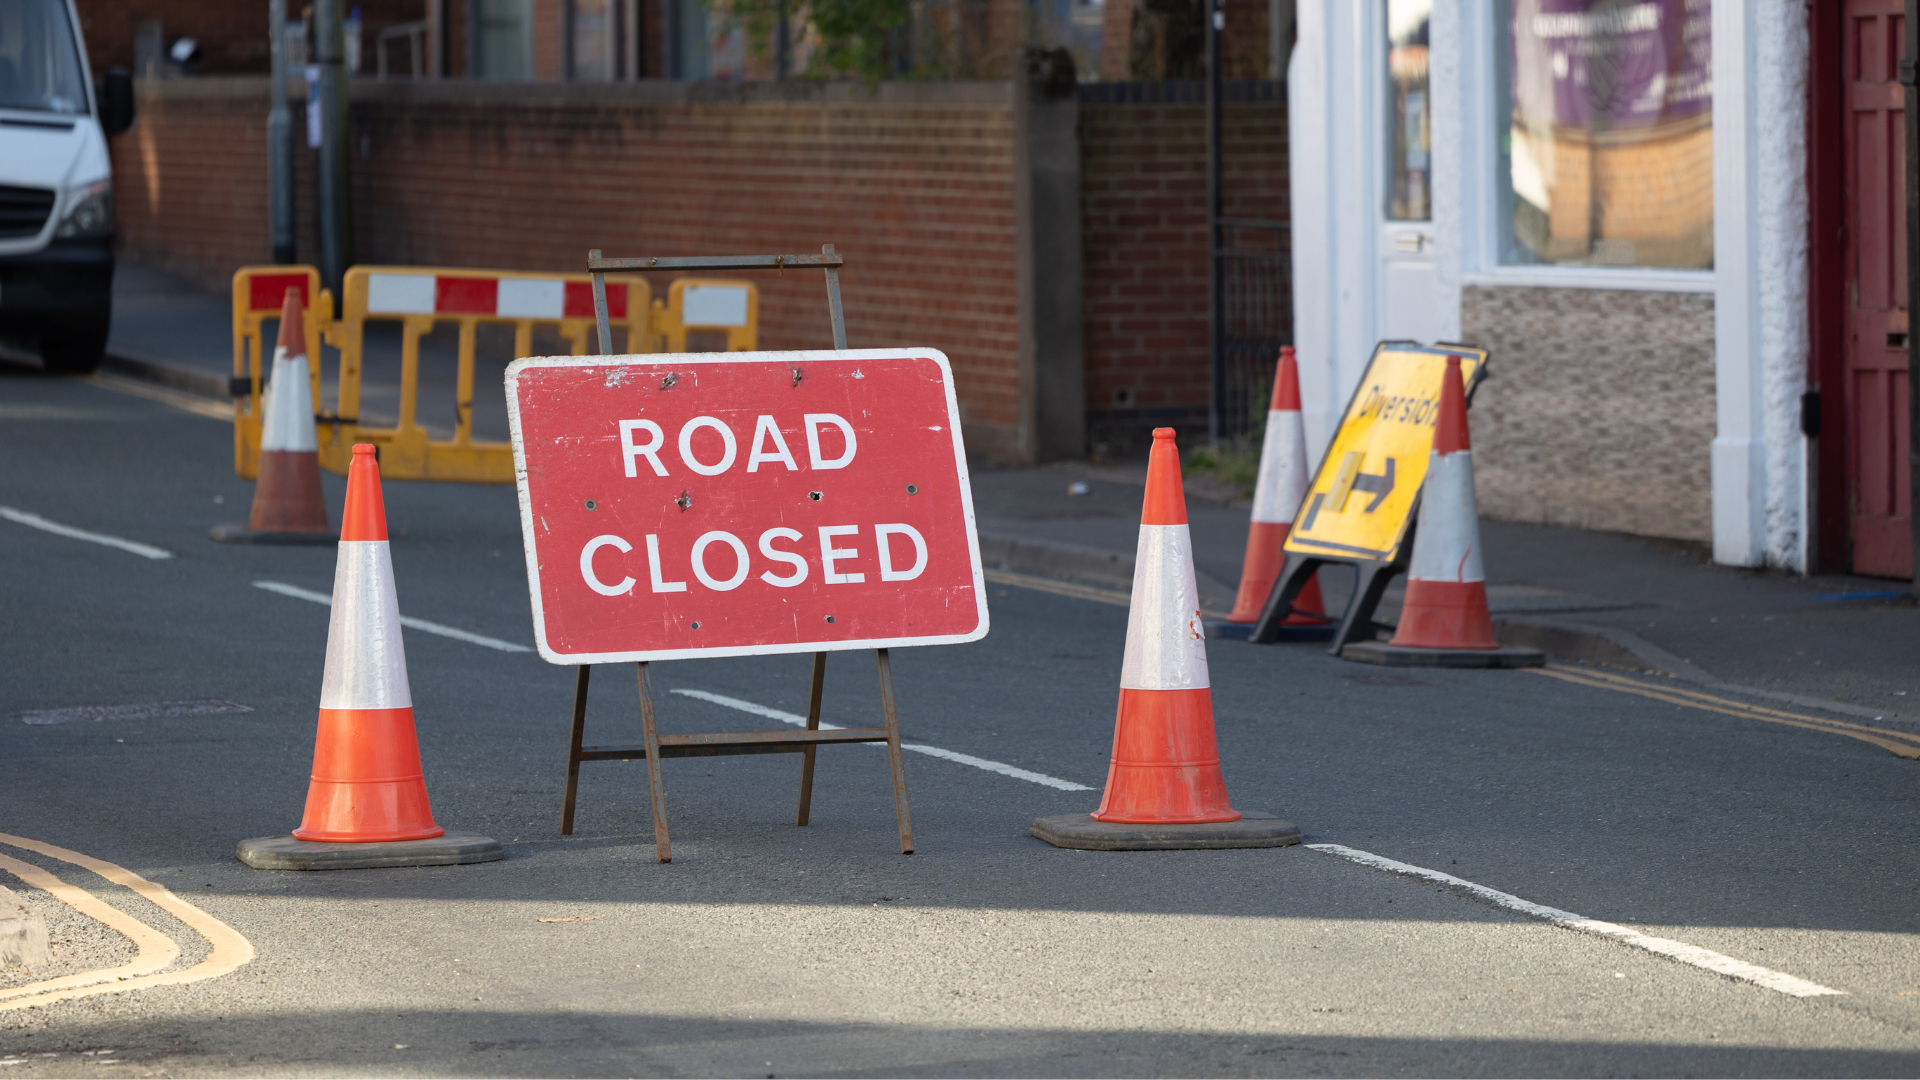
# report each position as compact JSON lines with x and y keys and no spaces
{"x":287,"y":499}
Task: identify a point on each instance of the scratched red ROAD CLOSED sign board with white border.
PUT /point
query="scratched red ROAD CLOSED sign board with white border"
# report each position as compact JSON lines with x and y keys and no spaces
{"x":750,"y":503}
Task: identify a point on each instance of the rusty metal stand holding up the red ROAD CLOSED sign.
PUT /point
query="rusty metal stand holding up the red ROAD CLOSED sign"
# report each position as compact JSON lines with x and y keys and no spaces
{"x":658,"y":747}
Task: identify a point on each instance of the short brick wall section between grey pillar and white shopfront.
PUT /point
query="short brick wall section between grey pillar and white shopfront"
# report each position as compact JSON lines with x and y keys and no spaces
{"x":1143,"y":174}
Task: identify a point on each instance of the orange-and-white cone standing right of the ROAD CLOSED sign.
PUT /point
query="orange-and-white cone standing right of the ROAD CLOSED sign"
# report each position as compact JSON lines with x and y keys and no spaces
{"x":1164,"y":773}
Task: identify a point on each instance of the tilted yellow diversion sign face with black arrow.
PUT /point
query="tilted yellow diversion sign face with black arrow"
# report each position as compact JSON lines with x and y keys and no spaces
{"x":1364,"y":493}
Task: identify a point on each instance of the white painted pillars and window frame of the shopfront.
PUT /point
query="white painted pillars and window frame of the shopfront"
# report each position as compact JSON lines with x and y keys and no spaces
{"x":1760,"y":285}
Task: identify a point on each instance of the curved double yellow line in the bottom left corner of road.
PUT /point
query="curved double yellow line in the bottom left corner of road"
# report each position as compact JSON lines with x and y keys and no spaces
{"x":155,"y":950}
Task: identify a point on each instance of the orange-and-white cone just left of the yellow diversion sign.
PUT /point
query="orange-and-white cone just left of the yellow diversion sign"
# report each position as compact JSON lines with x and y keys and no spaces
{"x":1284,"y":483}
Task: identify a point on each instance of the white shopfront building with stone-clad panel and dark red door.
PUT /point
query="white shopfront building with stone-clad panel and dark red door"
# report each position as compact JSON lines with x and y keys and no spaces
{"x":1696,"y":326}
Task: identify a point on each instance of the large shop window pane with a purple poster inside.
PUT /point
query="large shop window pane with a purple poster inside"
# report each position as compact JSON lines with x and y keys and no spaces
{"x":1606,"y":155}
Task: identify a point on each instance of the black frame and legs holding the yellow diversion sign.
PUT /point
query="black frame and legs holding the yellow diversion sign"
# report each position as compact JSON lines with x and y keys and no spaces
{"x":1372,"y":576}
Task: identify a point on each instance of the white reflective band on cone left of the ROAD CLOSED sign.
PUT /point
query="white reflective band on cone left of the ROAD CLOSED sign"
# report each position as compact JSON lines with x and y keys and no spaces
{"x":366,"y":662}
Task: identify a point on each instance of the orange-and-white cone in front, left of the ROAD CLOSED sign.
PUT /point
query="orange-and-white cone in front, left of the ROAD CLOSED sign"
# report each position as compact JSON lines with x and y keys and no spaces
{"x":368,"y":785}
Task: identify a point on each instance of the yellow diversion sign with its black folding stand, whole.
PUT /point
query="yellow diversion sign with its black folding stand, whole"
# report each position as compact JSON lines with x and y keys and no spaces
{"x":1381,"y":453}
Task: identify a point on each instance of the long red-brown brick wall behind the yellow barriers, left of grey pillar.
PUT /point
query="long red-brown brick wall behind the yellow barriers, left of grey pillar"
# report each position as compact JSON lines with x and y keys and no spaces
{"x":911,"y":182}
